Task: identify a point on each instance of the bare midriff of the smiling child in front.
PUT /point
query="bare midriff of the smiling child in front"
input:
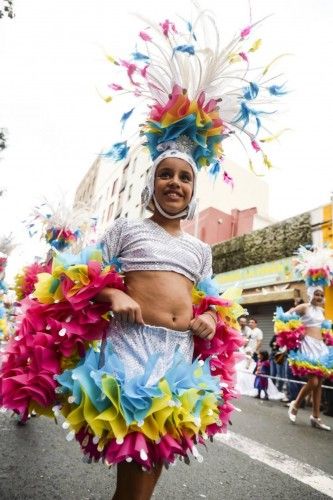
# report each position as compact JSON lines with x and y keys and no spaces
{"x":165,"y":297}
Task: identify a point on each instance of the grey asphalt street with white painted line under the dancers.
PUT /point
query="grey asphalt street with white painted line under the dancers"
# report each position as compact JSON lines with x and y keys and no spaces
{"x":38,"y":463}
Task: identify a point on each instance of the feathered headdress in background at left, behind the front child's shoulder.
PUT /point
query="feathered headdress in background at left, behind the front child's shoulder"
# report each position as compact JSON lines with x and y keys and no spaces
{"x":61,"y":226}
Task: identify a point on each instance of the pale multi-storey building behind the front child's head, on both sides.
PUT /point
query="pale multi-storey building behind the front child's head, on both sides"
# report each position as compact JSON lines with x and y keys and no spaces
{"x":113,"y":189}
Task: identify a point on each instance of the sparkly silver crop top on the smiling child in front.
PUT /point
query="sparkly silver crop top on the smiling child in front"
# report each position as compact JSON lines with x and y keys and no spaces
{"x":143,"y":245}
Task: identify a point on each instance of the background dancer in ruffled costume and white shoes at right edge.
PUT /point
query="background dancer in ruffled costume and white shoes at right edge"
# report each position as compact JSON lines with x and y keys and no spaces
{"x":306,"y":333}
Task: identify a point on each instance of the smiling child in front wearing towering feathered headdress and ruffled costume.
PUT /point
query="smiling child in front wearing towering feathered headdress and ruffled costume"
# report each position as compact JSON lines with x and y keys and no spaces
{"x":162,"y":379}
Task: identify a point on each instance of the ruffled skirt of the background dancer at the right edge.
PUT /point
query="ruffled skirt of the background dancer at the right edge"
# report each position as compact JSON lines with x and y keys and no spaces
{"x":314,"y":357}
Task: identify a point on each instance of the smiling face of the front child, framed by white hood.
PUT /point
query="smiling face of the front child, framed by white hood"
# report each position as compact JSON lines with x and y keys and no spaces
{"x":173,"y":184}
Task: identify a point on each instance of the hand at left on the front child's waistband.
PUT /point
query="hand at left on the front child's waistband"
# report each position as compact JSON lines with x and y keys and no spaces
{"x":124,"y":306}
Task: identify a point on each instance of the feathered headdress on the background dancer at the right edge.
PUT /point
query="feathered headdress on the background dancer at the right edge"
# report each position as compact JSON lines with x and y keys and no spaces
{"x":315,"y":265}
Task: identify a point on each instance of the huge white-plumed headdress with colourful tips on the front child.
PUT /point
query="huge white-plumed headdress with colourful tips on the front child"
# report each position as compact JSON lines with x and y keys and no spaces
{"x":197,"y":92}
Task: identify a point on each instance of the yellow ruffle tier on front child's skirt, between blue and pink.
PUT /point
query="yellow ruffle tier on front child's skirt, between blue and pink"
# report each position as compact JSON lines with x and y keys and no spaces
{"x":162,"y":417}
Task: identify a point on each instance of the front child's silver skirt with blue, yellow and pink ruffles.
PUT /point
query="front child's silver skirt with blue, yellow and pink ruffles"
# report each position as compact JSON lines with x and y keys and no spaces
{"x":141,"y":398}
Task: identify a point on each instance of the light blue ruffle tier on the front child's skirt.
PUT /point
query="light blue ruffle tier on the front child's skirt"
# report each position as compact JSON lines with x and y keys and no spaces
{"x":136,"y":394}
